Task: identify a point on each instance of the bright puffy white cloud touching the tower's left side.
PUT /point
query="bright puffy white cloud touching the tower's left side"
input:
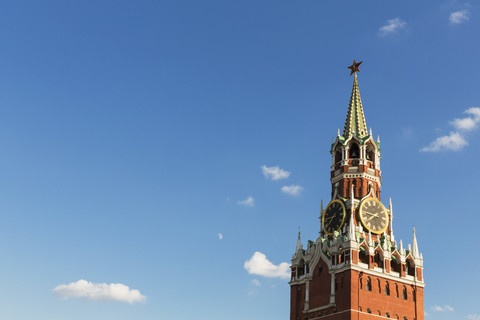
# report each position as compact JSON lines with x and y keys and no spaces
{"x":259,"y":264}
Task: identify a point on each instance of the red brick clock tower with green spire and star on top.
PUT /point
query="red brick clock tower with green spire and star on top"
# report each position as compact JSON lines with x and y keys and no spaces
{"x":356,"y":269}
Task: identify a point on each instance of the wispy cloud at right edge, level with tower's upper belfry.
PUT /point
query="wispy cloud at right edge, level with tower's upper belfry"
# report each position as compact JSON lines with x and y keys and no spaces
{"x":456,"y":140}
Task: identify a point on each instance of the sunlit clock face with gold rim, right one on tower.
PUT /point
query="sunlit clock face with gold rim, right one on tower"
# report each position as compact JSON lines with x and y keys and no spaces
{"x":374,"y":216}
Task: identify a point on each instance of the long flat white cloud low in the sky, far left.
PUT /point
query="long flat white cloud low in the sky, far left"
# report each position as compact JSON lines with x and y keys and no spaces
{"x":98,"y":292}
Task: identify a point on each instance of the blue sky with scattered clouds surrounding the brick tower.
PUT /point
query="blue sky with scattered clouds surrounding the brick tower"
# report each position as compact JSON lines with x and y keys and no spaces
{"x":134,"y":138}
